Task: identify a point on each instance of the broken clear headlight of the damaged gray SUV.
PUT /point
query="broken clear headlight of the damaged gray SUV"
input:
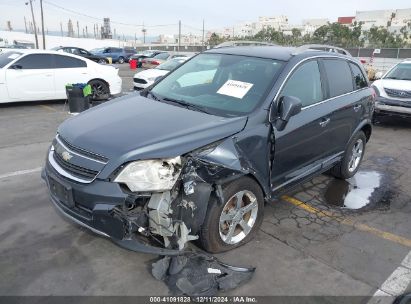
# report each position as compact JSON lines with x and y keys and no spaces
{"x":150,"y":175}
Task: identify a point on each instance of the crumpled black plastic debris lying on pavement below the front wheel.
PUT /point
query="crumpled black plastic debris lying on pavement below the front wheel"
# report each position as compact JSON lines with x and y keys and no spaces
{"x":197,"y":274}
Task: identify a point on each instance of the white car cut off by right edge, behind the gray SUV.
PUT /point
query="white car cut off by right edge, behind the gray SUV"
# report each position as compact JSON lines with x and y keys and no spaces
{"x":393,"y":91}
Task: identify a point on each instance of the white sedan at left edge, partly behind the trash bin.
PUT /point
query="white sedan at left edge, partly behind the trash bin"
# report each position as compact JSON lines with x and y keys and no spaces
{"x":31,"y":75}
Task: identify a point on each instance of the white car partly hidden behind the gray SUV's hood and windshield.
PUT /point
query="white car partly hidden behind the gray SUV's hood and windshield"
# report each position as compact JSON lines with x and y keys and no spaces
{"x":144,"y":79}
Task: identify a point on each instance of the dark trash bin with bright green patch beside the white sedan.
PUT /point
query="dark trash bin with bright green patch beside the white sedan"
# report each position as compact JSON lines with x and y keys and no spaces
{"x":78,"y":96}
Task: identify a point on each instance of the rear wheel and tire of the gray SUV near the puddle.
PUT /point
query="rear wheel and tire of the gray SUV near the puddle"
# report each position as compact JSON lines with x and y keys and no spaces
{"x":349,"y":166}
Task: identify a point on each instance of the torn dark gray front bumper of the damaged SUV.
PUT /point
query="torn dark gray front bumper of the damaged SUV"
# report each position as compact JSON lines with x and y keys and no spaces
{"x":91,"y":206}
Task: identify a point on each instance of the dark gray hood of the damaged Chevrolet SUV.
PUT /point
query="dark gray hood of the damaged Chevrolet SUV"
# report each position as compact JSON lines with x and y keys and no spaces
{"x":135,"y":127}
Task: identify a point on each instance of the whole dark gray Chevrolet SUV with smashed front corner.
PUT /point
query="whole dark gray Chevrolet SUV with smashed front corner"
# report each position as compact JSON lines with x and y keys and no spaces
{"x":198,"y":154}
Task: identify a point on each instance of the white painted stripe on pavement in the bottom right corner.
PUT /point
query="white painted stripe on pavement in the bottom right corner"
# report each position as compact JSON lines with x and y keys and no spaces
{"x":396,"y":284}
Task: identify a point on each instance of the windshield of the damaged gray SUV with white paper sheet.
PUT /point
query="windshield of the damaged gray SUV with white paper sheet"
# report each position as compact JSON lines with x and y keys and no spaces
{"x":223,"y":84}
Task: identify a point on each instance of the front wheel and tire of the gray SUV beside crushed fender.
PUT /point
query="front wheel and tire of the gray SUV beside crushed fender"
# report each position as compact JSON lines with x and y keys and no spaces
{"x":214,"y":237}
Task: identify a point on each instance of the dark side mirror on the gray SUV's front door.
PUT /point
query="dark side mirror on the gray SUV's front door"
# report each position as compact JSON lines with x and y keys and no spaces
{"x":288,"y":106}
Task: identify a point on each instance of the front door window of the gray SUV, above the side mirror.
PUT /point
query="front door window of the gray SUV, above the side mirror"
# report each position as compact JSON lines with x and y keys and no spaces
{"x":305,"y":83}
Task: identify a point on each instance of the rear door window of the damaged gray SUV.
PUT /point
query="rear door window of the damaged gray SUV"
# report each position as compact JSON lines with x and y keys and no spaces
{"x":339,"y":76}
